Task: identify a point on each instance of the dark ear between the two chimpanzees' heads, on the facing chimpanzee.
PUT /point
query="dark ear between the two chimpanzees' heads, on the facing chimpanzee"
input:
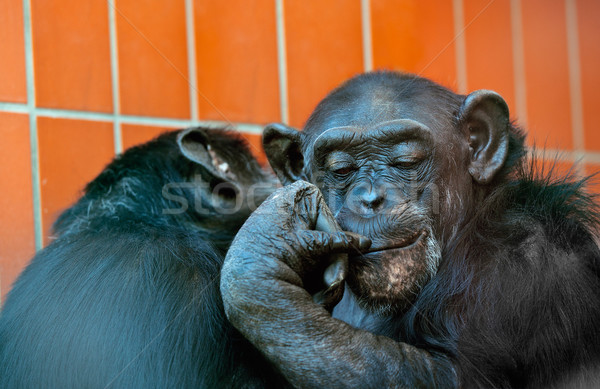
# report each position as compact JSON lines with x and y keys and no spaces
{"x":283,"y":148}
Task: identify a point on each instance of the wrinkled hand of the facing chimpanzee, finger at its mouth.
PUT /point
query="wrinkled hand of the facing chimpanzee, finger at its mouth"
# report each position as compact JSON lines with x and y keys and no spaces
{"x":294,"y":238}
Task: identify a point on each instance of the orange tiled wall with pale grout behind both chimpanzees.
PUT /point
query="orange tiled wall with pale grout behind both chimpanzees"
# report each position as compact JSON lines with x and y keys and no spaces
{"x":83,"y":80}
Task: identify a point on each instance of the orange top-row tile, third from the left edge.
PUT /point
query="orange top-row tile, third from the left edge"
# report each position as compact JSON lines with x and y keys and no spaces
{"x":153,"y":69}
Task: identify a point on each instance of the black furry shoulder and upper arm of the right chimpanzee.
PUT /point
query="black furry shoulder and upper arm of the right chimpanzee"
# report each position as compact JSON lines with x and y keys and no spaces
{"x":516,"y":301}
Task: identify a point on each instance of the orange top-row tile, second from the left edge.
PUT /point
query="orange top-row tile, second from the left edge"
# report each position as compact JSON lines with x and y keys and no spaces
{"x":72,"y":54}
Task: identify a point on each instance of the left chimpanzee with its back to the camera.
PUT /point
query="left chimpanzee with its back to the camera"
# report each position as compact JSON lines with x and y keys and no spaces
{"x":127,"y":295}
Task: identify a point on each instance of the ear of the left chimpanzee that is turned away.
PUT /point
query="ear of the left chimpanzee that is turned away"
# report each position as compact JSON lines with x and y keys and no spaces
{"x":194,"y":144}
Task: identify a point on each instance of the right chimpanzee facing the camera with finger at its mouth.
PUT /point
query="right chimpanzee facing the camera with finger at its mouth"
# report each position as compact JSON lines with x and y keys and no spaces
{"x":482,"y":270}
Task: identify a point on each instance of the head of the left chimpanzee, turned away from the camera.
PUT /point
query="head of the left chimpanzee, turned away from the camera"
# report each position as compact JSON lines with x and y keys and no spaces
{"x":205,"y":179}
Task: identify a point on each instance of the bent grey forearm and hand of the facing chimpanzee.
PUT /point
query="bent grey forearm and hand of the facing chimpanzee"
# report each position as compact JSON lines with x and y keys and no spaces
{"x":264,"y":296}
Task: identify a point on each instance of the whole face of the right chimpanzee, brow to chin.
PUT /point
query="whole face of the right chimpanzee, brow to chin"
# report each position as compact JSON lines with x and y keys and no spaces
{"x":378,"y":178}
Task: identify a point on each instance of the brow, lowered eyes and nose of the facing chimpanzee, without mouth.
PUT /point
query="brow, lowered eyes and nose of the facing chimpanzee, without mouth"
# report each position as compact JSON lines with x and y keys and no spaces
{"x":370,"y":171}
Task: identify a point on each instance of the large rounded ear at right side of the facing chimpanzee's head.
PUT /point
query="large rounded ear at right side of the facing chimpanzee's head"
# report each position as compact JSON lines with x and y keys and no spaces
{"x":484,"y":115}
